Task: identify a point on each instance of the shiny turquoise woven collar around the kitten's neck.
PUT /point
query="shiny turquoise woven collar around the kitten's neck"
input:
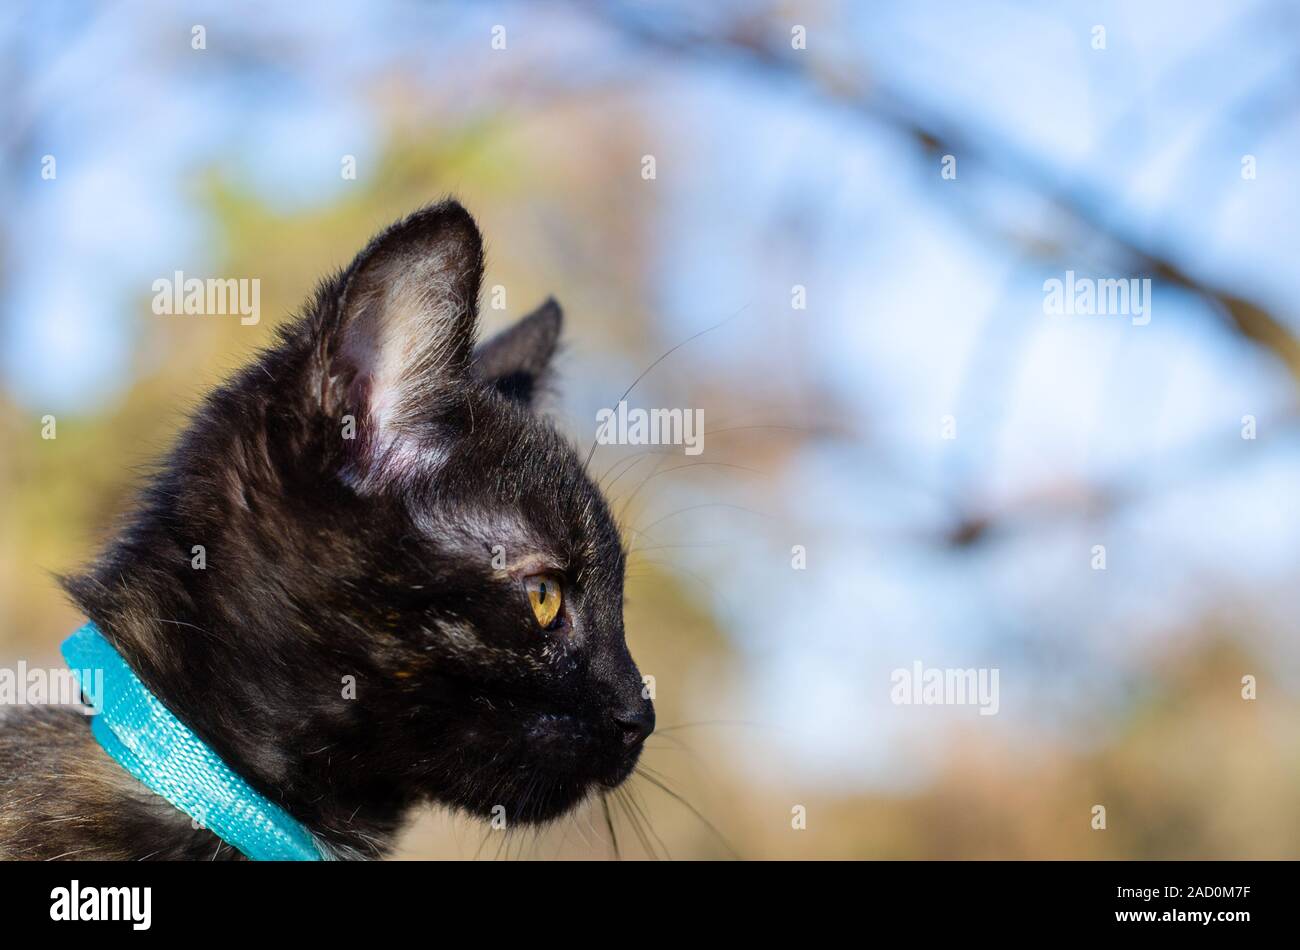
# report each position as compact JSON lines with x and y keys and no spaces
{"x":157,"y":748}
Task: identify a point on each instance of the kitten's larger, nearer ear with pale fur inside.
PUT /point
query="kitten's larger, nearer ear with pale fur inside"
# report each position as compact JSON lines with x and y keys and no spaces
{"x":406,"y":322}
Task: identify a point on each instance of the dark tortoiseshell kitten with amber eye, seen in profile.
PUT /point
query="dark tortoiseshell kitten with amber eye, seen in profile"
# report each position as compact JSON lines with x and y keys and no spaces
{"x":411,"y":591}
